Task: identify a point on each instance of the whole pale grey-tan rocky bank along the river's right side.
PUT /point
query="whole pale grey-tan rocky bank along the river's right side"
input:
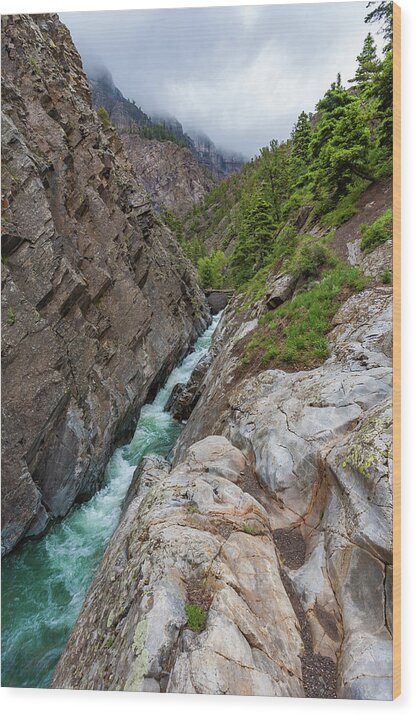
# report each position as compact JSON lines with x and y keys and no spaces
{"x":261,"y":563}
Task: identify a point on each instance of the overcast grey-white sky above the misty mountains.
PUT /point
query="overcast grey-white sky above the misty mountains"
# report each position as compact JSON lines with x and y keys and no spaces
{"x":241,"y":74}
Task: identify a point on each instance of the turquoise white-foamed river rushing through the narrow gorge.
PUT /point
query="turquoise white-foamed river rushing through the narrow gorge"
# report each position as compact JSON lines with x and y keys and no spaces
{"x":44,"y":583}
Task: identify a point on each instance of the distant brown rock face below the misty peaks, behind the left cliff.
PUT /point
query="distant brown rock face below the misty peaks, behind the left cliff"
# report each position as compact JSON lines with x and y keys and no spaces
{"x":172,"y":175}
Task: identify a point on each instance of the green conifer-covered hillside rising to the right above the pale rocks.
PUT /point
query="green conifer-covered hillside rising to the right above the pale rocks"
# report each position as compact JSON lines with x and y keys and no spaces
{"x":261,"y":217}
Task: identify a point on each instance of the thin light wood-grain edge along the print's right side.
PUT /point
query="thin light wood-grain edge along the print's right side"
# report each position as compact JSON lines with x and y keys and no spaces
{"x":396,"y":351}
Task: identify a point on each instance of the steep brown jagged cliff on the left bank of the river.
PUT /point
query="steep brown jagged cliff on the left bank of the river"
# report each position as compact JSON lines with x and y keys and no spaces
{"x":98,"y":300}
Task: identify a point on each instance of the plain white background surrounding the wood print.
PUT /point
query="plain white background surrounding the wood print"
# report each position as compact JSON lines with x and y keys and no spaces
{"x":45,"y":703}
